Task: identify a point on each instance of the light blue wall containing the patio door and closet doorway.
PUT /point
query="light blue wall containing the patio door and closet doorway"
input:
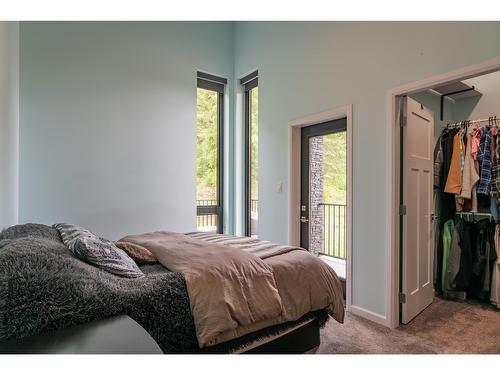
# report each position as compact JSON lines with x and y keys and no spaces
{"x":306,"y":68}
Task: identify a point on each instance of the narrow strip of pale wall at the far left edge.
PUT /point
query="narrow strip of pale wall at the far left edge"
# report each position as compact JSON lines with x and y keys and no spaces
{"x":9,"y":123}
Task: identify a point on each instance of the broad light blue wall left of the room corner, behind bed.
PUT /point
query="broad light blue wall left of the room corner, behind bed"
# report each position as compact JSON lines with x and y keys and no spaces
{"x":108,"y":122}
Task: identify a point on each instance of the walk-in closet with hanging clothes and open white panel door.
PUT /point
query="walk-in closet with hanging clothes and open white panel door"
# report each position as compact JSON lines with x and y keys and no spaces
{"x":450,"y":195}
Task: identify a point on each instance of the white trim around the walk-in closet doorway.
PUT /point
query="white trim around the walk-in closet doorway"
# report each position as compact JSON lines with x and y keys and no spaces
{"x":392,"y":287}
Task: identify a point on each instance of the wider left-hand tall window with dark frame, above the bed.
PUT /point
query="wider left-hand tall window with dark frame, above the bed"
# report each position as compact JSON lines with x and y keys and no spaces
{"x":209,"y":169}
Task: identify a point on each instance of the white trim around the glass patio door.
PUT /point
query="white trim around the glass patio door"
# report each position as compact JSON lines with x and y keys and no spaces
{"x":294,"y":146}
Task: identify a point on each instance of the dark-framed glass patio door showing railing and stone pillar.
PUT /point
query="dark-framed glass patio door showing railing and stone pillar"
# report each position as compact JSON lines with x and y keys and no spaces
{"x":324,"y":189}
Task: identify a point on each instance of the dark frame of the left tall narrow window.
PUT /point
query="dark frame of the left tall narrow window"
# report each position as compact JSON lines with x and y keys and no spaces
{"x":213,"y":83}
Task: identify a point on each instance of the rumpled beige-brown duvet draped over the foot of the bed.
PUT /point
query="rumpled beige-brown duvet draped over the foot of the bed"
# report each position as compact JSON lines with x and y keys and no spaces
{"x":234,"y":292}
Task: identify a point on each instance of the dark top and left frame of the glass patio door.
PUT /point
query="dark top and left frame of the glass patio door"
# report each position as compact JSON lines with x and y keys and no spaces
{"x":324,"y":128}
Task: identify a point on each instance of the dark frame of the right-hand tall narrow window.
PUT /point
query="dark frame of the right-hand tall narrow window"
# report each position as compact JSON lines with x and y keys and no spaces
{"x":249,"y":82}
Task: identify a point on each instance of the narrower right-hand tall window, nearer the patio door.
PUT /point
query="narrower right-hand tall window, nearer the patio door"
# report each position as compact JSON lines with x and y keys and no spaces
{"x":250,"y":83}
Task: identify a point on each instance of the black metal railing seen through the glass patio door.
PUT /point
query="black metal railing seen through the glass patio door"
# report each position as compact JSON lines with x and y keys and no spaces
{"x":334,"y":230}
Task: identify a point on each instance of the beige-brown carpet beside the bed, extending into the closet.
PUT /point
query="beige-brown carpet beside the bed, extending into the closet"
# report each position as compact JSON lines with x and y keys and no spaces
{"x":444,"y":327}
